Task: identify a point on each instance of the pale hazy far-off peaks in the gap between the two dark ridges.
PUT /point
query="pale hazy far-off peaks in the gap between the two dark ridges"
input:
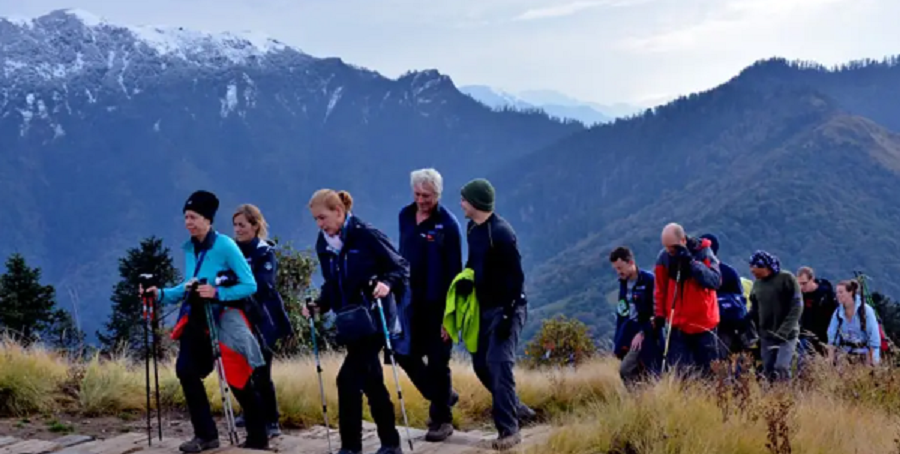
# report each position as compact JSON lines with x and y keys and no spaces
{"x":552,"y":102}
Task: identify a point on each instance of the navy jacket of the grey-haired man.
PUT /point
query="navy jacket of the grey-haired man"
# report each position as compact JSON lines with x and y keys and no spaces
{"x":433,"y":250}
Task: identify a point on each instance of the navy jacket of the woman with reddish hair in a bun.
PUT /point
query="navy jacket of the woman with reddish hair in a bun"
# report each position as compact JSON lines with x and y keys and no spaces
{"x":366,"y":253}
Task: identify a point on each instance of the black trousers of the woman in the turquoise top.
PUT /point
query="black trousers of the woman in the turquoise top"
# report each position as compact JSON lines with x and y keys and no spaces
{"x":194,"y":363}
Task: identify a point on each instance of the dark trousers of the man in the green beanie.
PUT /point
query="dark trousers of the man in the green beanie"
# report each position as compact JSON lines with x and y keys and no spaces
{"x":493,"y":363}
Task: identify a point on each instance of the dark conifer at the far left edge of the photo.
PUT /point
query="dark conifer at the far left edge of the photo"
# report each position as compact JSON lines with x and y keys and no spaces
{"x":26,"y":306}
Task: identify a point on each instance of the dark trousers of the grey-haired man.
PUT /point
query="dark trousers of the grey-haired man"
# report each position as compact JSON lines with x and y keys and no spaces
{"x":432,"y":379}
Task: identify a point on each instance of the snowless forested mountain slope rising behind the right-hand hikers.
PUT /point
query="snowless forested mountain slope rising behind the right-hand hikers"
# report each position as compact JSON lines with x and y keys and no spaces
{"x":790,"y":157}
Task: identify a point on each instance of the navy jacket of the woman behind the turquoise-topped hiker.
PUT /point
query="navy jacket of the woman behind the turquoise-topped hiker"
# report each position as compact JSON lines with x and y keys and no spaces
{"x":272,"y":319}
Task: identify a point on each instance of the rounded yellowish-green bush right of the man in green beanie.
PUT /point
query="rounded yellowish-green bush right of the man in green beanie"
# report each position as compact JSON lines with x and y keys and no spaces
{"x":560,"y":341}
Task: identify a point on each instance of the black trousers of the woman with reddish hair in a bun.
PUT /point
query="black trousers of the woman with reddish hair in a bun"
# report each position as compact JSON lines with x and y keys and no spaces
{"x":360,"y":374}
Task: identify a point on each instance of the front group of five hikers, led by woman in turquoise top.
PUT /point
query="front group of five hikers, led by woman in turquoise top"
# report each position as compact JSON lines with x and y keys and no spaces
{"x":414,"y":303}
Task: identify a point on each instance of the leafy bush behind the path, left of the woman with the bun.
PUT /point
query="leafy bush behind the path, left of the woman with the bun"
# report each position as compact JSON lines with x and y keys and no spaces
{"x":294,"y":283}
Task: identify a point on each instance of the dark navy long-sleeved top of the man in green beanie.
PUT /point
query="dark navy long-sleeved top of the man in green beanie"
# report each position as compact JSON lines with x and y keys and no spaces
{"x":494,"y":256}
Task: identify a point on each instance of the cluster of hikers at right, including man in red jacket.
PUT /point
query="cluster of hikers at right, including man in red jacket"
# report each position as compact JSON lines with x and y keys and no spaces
{"x":692,"y":309}
